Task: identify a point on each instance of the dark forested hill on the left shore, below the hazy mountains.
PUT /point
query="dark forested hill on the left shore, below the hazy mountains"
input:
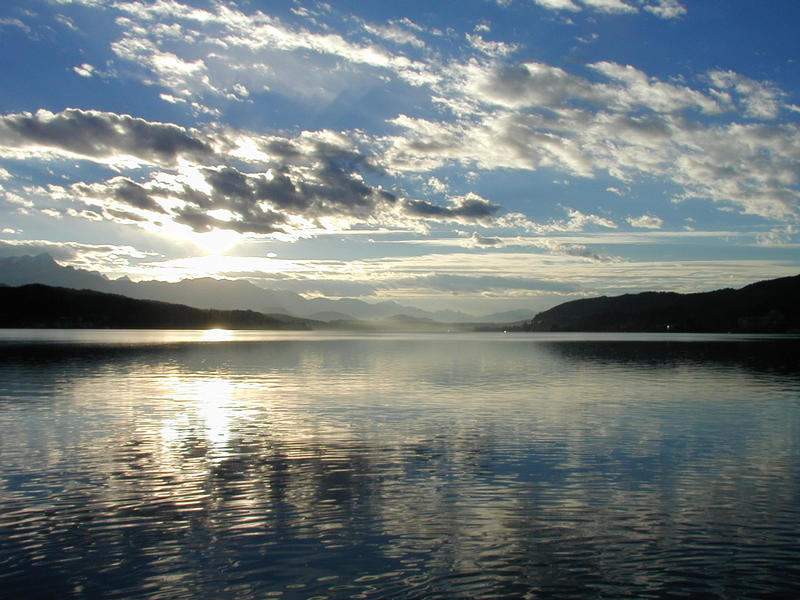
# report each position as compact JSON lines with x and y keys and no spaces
{"x":46,"y":306}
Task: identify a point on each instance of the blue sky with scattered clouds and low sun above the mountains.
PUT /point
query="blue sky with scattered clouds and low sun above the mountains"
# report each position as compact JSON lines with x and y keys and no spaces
{"x":477,"y":155}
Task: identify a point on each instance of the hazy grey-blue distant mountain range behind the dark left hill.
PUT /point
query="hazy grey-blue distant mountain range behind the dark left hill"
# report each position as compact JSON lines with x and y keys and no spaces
{"x":222,"y":294}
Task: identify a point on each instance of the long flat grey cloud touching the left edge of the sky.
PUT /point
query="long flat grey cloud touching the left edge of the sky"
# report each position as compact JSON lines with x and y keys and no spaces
{"x":102,"y":135}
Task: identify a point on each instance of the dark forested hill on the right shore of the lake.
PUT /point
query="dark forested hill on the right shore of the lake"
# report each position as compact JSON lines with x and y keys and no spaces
{"x":765,"y":307}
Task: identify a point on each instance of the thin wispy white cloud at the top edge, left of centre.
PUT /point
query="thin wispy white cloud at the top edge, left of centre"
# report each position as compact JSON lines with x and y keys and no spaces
{"x":199,"y":53}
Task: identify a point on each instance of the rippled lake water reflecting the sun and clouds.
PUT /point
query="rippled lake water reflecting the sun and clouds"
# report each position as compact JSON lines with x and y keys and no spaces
{"x":305,"y":465}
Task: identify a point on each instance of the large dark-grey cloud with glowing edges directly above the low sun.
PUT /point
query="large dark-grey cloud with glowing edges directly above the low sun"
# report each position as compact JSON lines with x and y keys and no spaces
{"x":308,"y":184}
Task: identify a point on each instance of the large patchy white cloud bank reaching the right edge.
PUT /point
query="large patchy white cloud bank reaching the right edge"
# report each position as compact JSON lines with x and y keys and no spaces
{"x":627,"y":124}
